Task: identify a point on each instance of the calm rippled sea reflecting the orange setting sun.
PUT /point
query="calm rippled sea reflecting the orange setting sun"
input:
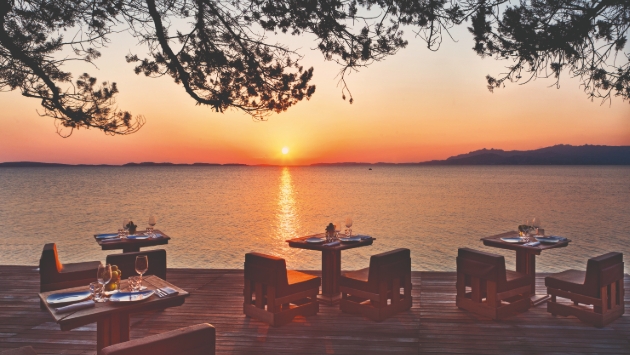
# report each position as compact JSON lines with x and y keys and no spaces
{"x":217,"y":214}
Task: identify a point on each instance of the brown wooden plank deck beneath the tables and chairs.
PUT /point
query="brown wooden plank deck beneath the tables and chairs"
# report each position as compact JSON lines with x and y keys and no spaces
{"x":434,"y":324}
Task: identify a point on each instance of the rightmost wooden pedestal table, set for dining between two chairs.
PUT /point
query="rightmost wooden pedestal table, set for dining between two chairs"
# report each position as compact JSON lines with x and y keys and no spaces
{"x":525,"y":257}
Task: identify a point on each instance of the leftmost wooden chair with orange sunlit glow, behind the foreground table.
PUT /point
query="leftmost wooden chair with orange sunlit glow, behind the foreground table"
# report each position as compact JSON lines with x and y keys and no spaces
{"x":53,"y":275}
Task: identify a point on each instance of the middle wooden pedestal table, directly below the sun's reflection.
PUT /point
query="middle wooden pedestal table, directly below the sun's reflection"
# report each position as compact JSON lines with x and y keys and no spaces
{"x":331,"y":264}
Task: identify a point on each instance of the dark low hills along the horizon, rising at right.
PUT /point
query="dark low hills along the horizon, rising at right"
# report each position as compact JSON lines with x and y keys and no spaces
{"x":561,"y":154}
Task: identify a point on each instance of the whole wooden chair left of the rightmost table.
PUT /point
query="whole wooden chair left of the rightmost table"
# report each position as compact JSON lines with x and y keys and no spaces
{"x":495,"y":292}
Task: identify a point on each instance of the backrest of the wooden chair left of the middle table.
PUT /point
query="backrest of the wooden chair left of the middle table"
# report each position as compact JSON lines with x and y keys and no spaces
{"x":266,"y":269}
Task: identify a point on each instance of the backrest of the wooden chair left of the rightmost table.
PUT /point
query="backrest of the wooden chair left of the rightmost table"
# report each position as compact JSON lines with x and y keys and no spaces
{"x":480,"y":264}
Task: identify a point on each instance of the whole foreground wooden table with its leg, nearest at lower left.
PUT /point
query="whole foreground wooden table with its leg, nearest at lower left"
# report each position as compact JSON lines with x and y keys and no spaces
{"x":112,"y":319}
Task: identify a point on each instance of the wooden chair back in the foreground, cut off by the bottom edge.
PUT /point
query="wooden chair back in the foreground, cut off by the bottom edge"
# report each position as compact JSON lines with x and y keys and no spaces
{"x":198,"y":339}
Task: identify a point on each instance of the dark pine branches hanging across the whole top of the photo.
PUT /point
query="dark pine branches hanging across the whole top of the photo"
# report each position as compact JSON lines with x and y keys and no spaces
{"x":221,"y":53}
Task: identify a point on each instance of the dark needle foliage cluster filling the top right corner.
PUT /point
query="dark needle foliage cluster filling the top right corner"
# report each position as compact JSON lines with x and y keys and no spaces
{"x":546,"y":37}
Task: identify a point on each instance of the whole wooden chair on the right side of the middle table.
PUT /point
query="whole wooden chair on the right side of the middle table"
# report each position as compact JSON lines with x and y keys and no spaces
{"x":374,"y":292}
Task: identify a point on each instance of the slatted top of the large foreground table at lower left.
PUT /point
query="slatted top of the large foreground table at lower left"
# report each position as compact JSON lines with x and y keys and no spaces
{"x":71,"y":320}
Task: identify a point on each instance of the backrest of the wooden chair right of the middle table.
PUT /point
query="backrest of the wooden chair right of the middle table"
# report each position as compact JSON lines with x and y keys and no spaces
{"x":389,"y":265}
